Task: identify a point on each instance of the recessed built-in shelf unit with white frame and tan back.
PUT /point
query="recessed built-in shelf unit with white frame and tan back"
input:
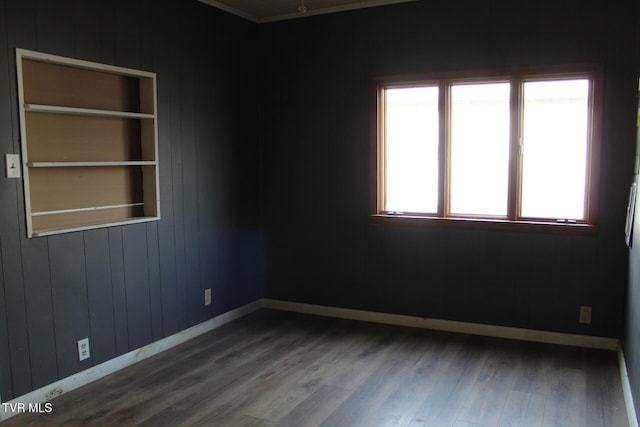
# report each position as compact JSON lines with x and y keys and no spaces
{"x":89,"y":144}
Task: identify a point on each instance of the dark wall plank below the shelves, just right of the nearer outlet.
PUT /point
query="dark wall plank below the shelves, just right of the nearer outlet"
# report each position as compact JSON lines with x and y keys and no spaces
{"x":100,"y":295}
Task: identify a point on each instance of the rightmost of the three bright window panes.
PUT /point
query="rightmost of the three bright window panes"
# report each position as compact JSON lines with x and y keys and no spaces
{"x":555,"y":149}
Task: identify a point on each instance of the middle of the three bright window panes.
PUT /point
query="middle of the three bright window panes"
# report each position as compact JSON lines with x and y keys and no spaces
{"x":480,"y":148}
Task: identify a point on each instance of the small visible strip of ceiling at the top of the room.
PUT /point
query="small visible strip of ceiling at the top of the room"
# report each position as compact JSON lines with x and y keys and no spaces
{"x":277,"y":10}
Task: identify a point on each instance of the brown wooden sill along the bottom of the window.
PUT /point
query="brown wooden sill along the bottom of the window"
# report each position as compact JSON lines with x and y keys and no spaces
{"x":486,"y":223}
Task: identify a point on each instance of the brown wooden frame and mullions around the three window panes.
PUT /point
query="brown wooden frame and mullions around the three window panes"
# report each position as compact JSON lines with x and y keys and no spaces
{"x":513,"y":220}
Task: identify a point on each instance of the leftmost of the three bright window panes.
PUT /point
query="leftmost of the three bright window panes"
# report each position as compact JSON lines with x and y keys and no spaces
{"x":412,"y":149}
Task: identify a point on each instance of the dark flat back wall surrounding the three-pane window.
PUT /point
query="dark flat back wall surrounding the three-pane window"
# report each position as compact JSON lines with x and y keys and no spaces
{"x":320,"y":247}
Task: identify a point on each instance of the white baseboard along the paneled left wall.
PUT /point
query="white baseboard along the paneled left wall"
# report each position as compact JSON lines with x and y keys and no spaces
{"x":94,"y":373}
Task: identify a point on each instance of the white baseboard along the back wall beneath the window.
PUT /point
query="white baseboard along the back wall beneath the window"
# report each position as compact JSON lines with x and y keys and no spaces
{"x":447,"y":325}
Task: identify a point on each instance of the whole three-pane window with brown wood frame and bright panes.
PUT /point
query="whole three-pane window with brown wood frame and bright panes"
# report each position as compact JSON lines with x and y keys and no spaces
{"x":511,"y":146}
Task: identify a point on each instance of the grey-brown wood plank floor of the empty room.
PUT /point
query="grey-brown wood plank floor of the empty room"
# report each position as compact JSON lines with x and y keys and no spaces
{"x":274,"y":368}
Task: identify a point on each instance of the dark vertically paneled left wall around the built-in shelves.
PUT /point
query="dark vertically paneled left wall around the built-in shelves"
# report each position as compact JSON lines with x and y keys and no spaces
{"x":124,"y":287}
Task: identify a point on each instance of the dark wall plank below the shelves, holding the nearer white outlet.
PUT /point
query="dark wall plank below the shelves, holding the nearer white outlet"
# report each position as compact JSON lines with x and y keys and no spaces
{"x":70,"y":302}
